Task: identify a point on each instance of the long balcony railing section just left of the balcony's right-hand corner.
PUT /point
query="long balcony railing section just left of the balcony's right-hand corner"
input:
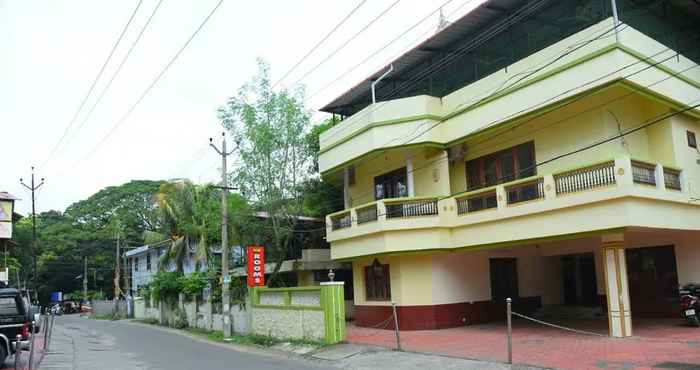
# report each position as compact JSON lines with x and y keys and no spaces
{"x":586,"y":178}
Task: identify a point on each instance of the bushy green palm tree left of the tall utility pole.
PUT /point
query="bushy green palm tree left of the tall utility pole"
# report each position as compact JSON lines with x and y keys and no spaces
{"x":189,"y":215}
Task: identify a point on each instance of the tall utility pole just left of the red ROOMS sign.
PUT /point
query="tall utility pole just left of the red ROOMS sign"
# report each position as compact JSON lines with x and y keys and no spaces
{"x":225,"y":286}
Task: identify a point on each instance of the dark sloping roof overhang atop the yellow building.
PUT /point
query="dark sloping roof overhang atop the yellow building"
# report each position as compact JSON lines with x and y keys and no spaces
{"x":409,"y":65}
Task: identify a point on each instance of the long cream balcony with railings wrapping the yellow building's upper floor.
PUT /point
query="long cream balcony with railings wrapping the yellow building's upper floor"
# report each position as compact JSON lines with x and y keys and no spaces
{"x":455,"y":220}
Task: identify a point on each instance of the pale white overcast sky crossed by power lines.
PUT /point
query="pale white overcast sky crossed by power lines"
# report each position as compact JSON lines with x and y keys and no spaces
{"x":51,"y":51}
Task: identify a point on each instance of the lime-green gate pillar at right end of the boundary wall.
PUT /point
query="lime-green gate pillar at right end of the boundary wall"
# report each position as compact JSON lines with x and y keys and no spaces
{"x":333,"y":304}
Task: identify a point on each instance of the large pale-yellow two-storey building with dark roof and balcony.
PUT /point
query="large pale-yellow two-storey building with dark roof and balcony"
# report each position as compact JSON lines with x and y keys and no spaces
{"x":539,"y":150}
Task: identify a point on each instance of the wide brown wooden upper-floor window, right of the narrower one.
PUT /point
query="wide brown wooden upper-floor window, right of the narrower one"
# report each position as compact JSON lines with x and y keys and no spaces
{"x":507,"y":165}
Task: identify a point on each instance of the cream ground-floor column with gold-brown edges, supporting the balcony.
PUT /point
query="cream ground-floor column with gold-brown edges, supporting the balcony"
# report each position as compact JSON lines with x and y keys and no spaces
{"x":616,"y":286}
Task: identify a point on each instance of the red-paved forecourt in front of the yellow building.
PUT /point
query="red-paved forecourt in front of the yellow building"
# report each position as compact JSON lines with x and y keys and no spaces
{"x":657,"y":343}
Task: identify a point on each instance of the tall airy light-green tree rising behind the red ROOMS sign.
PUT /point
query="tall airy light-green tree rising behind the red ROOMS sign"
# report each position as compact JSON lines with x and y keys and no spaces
{"x":269,"y":128}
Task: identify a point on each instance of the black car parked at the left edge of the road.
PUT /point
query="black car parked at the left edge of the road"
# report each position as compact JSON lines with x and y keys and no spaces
{"x":14,"y":320}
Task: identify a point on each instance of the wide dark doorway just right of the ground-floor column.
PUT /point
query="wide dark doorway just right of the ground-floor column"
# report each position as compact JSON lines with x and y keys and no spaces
{"x":653,"y":281}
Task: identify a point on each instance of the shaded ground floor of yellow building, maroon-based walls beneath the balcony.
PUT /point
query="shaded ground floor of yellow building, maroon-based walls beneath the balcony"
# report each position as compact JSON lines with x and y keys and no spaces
{"x":603,"y":278}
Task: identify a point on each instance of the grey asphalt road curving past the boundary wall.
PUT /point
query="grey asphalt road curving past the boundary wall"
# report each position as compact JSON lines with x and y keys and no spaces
{"x":81,"y":343}
